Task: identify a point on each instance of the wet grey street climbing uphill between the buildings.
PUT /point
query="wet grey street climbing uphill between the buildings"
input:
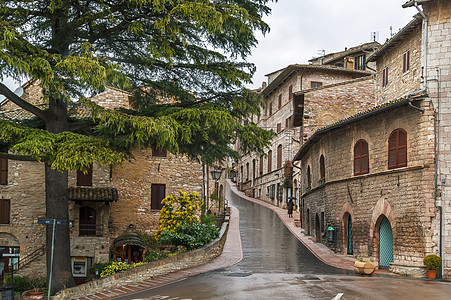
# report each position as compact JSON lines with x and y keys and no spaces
{"x":277,"y":266}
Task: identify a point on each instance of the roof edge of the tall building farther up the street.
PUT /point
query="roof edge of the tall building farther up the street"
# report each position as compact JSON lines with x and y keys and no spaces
{"x":284,"y":73}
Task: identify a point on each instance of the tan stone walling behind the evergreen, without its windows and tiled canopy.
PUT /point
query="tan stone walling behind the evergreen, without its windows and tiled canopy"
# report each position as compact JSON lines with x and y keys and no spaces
{"x":130,"y":213}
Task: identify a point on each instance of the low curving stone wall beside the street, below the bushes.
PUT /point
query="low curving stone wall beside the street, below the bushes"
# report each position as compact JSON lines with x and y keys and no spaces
{"x":164,"y":266}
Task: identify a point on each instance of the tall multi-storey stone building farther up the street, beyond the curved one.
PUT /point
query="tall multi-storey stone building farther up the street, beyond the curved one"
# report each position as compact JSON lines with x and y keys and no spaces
{"x":298,"y":99}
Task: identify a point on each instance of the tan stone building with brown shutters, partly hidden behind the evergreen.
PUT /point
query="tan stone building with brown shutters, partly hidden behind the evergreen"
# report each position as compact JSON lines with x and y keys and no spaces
{"x":108,"y":206}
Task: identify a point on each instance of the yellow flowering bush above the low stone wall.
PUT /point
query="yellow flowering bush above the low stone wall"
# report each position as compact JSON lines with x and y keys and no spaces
{"x":183,"y":209}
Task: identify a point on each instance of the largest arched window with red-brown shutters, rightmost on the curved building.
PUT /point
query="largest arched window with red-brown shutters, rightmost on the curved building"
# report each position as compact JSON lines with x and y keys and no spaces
{"x":397,"y":149}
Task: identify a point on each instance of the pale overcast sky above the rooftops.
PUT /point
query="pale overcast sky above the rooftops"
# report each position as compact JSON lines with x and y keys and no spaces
{"x":300,"y":28}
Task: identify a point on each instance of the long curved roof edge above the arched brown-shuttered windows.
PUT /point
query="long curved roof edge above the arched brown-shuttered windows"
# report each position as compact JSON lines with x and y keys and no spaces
{"x":351,"y":119}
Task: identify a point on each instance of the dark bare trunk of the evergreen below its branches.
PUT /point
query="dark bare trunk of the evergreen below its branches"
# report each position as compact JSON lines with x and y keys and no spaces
{"x":57,"y":208}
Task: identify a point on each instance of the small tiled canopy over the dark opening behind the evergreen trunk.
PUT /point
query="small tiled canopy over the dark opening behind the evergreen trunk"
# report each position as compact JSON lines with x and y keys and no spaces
{"x":84,"y":193}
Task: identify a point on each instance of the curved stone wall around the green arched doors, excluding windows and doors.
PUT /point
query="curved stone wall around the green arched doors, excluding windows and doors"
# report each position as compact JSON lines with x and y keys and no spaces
{"x":404,"y":195}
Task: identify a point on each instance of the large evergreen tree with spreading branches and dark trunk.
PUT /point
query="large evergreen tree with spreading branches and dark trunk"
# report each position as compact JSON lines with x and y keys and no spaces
{"x":191,"y":51}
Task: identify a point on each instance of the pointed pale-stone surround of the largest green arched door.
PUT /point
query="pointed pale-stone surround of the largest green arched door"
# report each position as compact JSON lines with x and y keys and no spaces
{"x":382,"y":212}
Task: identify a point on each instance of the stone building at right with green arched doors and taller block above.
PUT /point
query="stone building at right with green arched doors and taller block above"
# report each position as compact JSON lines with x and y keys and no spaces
{"x":385,"y":188}
